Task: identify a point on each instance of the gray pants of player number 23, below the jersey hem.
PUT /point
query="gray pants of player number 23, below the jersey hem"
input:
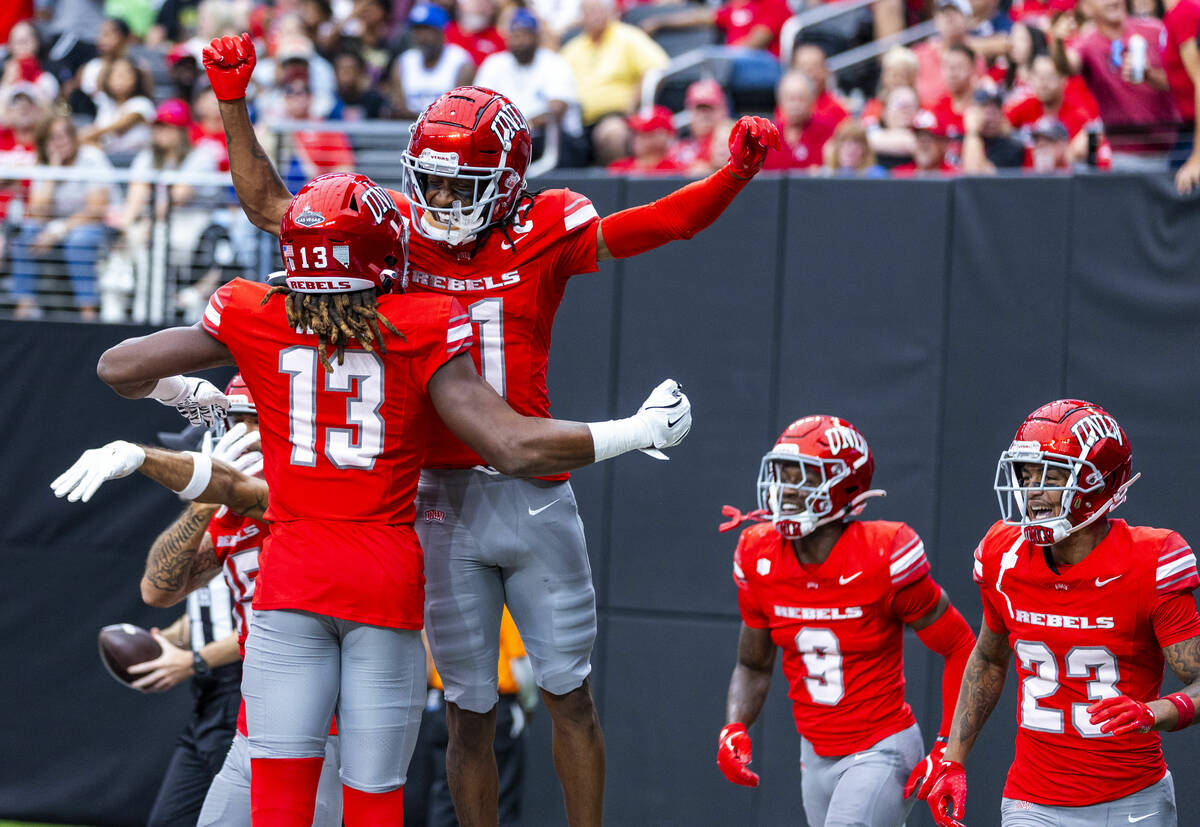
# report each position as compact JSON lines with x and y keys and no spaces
{"x":1153,"y":807}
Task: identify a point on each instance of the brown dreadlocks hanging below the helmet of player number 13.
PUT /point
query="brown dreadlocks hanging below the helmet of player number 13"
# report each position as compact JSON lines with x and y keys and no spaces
{"x":337,"y":319}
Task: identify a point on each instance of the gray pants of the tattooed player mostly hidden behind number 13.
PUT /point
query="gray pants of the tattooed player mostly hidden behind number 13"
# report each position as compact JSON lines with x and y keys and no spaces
{"x":229,"y":801}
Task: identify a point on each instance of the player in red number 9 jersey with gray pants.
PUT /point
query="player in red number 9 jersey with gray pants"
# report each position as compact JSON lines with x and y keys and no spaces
{"x":836,"y":595}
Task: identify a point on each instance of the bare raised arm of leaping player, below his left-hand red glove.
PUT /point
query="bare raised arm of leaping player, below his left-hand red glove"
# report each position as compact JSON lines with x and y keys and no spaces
{"x":259,"y":185}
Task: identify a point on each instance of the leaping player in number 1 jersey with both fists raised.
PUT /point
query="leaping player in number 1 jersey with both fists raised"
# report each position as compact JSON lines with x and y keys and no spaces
{"x":507,"y":255}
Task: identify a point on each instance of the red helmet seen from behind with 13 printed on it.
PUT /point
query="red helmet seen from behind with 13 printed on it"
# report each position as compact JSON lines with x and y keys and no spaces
{"x":343,"y":233}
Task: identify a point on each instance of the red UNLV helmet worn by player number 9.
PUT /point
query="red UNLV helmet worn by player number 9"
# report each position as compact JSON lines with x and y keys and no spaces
{"x":835,"y":478}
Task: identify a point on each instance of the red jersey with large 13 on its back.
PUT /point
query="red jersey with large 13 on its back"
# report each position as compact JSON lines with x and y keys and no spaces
{"x":341,"y":452}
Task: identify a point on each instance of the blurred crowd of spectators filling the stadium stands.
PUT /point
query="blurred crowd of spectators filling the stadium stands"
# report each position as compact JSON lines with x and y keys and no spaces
{"x":1041,"y":86}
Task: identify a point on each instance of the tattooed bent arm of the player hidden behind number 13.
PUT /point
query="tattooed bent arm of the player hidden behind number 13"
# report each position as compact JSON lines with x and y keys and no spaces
{"x":176,"y":556}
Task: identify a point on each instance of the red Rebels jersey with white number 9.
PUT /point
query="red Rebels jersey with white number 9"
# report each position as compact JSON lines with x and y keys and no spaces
{"x":841,"y":626}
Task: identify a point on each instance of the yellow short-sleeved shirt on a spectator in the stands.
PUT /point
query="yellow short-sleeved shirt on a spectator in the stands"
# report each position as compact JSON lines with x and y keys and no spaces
{"x":609,"y":71}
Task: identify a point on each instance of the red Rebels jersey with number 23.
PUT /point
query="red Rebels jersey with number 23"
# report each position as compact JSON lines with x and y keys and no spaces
{"x":1094,"y":631}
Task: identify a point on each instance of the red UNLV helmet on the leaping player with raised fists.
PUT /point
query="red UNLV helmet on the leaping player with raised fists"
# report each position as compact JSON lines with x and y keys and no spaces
{"x":478,"y":136}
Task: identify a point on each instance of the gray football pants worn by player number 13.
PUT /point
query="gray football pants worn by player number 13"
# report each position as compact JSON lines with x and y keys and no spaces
{"x":301,"y":667}
